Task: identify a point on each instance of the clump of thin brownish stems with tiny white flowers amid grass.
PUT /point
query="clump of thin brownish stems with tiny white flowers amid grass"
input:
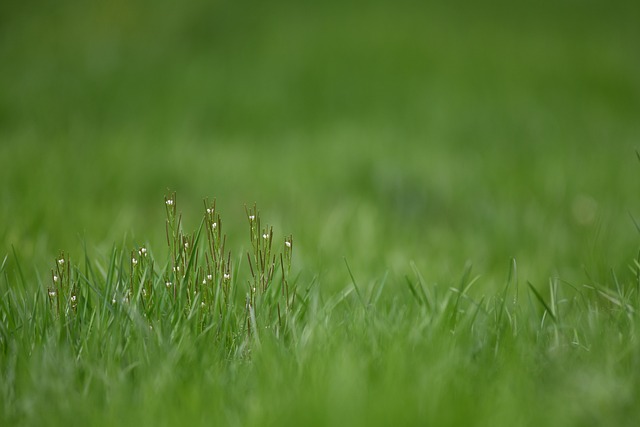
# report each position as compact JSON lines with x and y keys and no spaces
{"x":198,"y":281}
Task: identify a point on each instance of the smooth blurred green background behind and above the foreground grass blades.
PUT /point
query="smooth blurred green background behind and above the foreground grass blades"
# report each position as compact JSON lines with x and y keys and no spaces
{"x":383,"y":132}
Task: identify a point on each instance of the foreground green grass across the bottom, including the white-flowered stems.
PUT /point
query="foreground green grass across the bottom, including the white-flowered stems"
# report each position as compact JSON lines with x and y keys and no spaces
{"x":201,"y":337}
